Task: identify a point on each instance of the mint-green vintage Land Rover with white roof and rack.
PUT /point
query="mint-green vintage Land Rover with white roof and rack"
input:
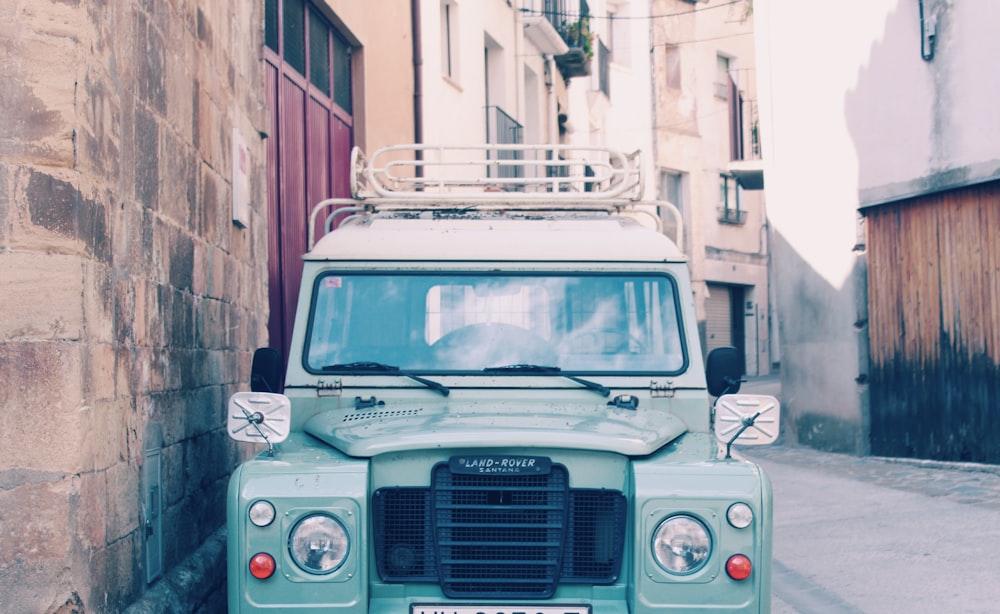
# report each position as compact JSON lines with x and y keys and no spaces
{"x":496,"y":402}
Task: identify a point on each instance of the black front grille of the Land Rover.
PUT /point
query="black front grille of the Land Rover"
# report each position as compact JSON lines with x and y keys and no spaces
{"x":499,"y":536}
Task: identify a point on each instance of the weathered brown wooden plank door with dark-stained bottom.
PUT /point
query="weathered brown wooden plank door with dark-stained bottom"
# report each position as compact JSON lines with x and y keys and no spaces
{"x":934,"y":325}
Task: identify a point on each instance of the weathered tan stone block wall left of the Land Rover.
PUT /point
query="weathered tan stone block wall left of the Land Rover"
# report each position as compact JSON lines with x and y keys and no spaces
{"x":129,"y":301}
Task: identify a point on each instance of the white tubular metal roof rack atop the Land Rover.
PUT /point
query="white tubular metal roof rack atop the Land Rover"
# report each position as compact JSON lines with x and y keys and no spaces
{"x":489,"y":177}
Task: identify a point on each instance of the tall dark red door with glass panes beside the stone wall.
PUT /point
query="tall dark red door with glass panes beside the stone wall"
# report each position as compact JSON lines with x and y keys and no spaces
{"x":309,"y":148}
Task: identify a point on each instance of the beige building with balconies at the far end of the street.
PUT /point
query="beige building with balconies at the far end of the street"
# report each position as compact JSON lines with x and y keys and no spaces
{"x":707,"y":159}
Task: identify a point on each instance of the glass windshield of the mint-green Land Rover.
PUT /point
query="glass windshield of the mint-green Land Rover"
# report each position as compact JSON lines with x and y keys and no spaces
{"x":448,"y":323}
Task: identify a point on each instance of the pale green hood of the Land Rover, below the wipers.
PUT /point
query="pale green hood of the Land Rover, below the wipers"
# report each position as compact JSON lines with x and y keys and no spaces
{"x":369,"y":432}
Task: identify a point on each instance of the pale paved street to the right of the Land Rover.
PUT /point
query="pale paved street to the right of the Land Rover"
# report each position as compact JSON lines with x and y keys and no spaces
{"x":880,"y":535}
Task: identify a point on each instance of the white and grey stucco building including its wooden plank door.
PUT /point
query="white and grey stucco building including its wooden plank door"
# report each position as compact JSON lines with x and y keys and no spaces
{"x":882,"y":172}
